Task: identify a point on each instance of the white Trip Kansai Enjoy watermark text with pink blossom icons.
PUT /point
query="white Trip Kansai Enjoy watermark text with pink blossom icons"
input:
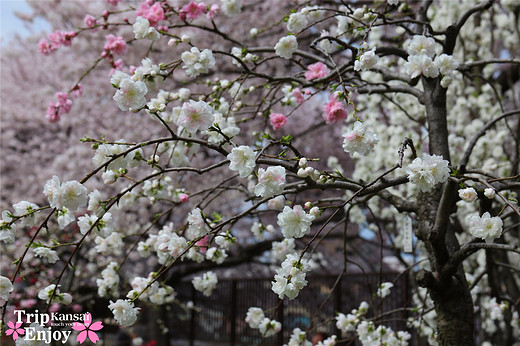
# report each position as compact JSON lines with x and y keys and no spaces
{"x":42,"y":324}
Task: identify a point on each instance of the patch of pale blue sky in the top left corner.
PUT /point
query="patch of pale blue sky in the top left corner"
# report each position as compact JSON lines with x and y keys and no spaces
{"x":10,"y":24}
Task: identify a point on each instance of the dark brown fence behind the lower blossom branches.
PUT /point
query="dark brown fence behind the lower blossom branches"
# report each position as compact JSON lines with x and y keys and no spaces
{"x":219,"y":319}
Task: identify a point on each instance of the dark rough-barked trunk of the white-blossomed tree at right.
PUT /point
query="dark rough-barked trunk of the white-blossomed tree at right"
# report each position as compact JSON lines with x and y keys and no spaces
{"x":451,"y":295}
